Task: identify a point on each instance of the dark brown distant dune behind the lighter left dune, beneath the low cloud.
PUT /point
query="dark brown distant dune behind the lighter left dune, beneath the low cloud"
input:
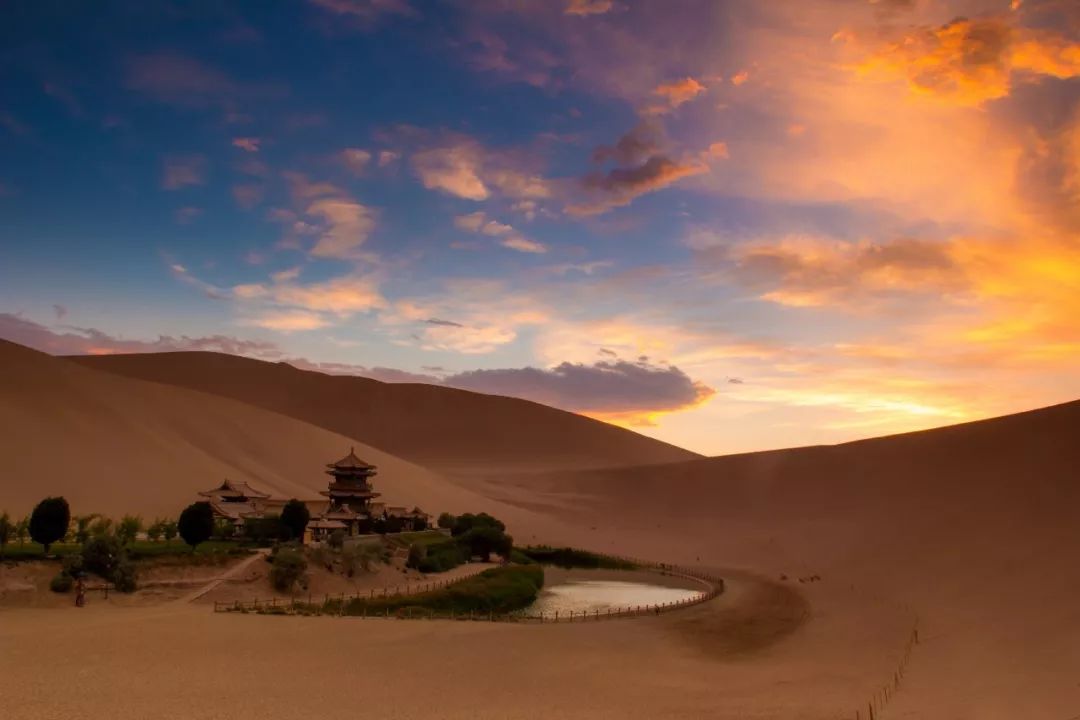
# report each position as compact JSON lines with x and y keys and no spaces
{"x":440,"y":428}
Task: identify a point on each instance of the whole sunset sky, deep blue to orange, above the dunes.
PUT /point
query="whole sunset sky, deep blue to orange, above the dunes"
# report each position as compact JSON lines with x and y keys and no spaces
{"x":728,"y":225}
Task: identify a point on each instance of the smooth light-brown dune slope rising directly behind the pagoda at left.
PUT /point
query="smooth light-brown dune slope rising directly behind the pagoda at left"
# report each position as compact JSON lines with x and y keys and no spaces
{"x":117,"y":445}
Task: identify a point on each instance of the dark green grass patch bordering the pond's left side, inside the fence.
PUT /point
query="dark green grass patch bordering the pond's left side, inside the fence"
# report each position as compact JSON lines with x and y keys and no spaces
{"x":498,"y":591}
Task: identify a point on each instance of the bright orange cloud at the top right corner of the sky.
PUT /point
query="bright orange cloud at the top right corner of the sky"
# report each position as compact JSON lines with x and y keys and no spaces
{"x":970,"y":62}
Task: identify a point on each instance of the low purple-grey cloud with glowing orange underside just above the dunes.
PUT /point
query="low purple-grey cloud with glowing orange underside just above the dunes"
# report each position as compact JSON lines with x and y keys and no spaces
{"x":617,"y":390}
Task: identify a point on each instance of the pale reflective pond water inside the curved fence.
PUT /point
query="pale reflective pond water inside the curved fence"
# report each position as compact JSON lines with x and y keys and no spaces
{"x":592,"y":595}
